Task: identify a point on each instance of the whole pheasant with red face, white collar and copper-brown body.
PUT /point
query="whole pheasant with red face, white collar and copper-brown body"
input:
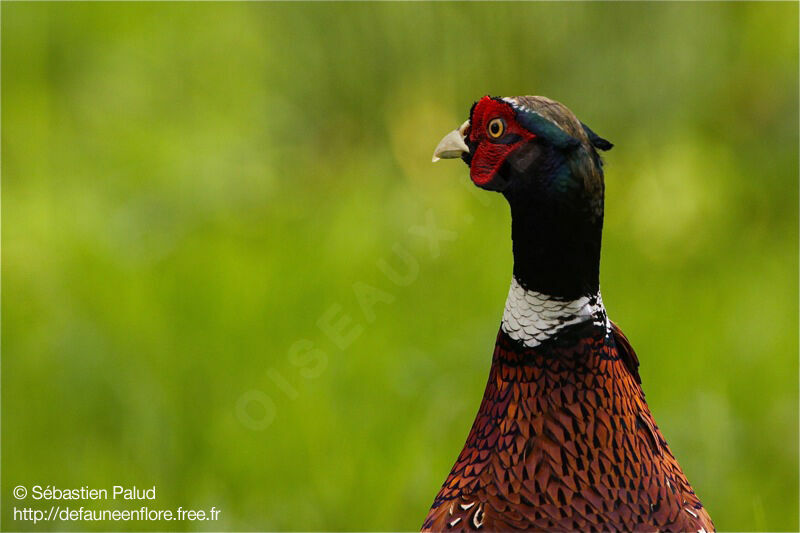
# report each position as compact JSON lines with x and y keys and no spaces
{"x":563,"y":439}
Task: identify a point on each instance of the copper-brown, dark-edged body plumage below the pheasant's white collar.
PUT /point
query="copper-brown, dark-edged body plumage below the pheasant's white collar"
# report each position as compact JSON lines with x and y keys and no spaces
{"x":566,"y":443}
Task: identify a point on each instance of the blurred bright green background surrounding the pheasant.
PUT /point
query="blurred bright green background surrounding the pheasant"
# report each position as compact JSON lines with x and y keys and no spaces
{"x":188,"y":189}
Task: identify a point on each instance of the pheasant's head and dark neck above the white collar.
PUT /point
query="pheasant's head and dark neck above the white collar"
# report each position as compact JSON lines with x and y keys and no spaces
{"x":544,"y":161}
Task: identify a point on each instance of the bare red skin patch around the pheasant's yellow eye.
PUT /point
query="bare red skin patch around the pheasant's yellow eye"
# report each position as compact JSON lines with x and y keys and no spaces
{"x":490,"y":153}
